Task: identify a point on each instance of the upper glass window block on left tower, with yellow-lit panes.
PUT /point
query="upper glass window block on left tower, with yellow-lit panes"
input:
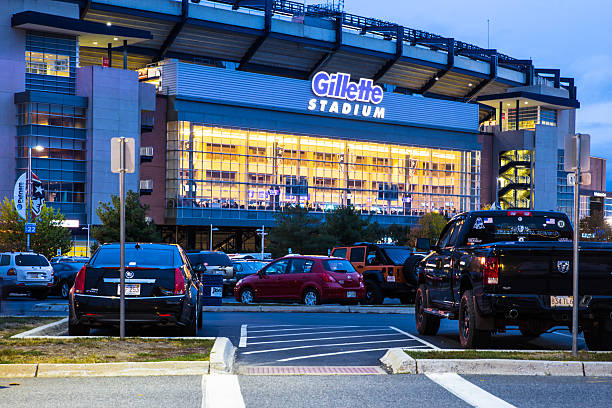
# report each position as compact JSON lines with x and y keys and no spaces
{"x":51,"y":62}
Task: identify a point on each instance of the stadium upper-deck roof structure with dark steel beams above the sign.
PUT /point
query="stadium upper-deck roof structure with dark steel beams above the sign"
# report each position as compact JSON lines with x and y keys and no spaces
{"x":289,"y":38}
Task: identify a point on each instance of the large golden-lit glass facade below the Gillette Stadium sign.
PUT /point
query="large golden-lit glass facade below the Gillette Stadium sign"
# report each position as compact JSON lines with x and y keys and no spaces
{"x":250,"y":169}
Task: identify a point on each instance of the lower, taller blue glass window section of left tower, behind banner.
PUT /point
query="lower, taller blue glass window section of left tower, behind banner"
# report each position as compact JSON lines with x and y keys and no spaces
{"x":61,"y":165}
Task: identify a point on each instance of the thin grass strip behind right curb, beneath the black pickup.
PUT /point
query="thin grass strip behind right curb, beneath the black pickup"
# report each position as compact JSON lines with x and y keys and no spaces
{"x":510,"y":355}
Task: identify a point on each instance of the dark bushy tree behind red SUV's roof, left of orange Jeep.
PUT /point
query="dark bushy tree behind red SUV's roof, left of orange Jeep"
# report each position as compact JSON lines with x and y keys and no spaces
{"x":295,"y":228}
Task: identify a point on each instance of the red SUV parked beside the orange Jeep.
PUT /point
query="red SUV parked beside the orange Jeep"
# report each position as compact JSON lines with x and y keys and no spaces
{"x":309,"y":279}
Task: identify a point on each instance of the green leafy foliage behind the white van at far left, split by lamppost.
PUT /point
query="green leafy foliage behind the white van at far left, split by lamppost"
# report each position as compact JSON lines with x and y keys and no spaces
{"x":50,"y":235}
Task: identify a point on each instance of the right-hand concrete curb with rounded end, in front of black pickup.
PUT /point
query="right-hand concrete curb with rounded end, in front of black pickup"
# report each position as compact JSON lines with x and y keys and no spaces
{"x":404,"y":364}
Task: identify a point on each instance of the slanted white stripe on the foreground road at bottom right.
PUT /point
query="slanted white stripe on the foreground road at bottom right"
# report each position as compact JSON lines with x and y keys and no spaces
{"x":467,"y":391}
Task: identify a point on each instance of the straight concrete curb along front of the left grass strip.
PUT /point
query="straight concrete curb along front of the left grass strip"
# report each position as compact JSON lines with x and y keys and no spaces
{"x":125,"y":369}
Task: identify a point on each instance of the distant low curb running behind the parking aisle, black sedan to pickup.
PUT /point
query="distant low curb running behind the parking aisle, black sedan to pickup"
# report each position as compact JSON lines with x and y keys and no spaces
{"x":312,"y":309}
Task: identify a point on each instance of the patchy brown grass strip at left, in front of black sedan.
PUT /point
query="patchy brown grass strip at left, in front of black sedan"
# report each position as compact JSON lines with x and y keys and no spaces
{"x":102,"y":350}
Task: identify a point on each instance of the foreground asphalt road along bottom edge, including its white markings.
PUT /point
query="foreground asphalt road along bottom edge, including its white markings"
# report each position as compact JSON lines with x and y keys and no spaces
{"x":338,"y":391}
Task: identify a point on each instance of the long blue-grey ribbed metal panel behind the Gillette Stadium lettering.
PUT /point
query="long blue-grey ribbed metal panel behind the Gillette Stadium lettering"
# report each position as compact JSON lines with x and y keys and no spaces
{"x":222,"y":86}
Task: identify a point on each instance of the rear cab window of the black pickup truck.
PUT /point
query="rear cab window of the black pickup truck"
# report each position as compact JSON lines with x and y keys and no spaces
{"x":486,"y":230}
